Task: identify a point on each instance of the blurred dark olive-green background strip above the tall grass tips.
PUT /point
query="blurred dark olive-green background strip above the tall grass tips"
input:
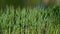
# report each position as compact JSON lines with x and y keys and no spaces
{"x":29,"y":3}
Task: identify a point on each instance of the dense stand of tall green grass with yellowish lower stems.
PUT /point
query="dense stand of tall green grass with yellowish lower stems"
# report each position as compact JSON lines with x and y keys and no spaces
{"x":29,"y":21}
